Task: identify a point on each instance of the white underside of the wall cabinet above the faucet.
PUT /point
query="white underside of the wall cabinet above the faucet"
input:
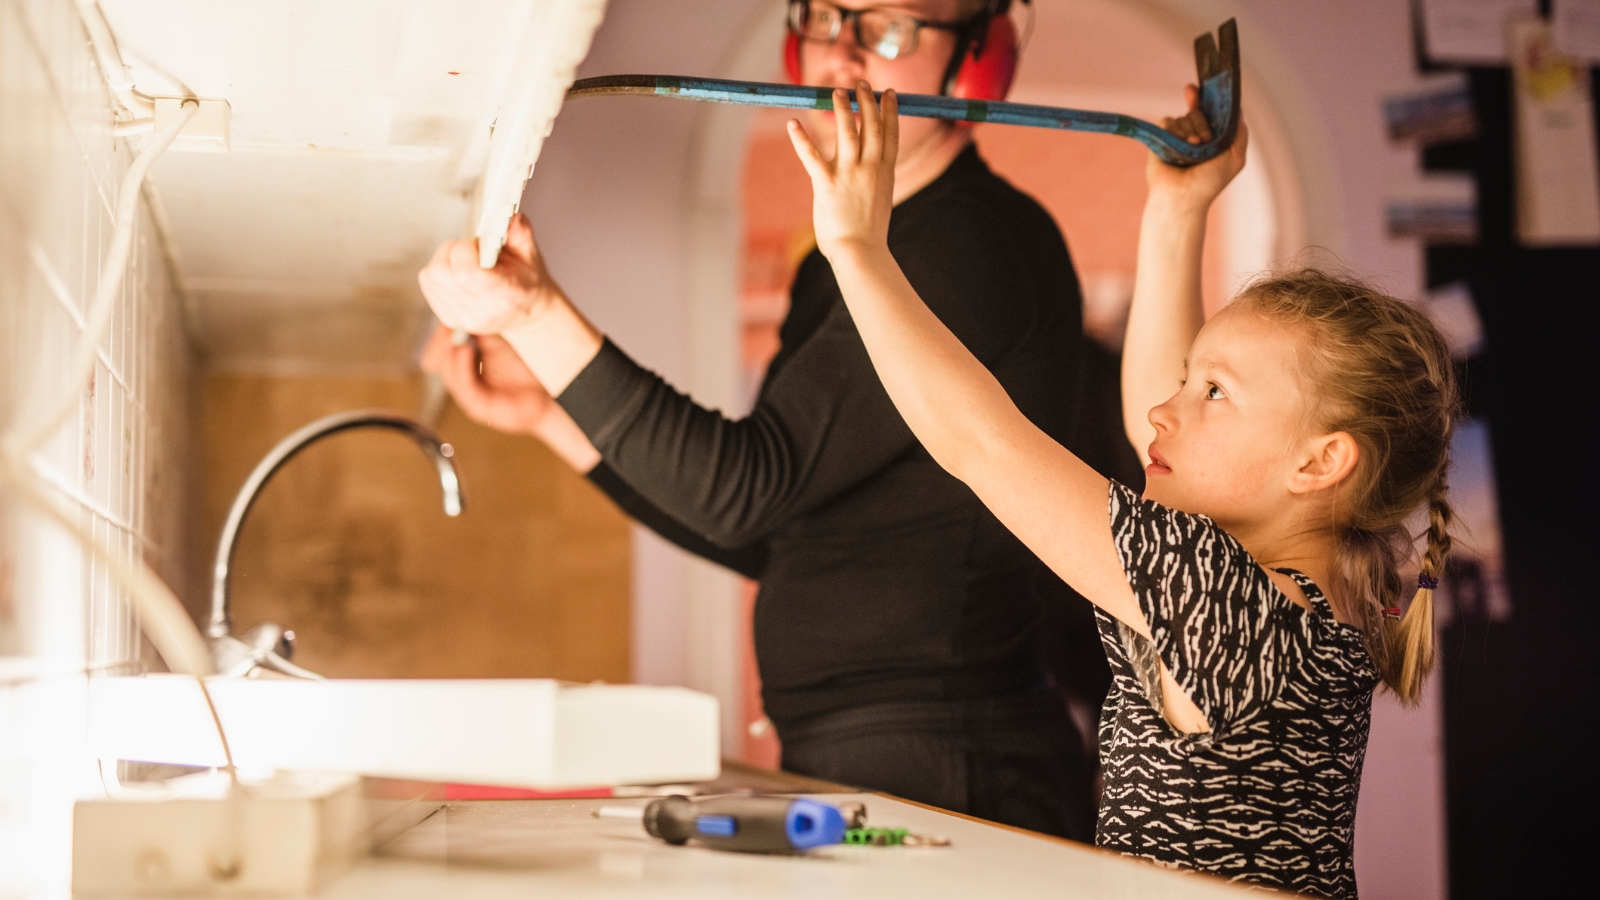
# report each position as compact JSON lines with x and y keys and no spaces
{"x":361,"y":139}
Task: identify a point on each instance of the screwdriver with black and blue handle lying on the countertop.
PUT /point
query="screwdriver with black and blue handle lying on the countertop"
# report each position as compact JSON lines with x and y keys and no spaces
{"x":743,"y":824}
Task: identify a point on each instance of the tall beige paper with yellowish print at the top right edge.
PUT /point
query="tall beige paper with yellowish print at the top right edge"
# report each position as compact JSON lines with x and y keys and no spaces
{"x":1556,"y":164}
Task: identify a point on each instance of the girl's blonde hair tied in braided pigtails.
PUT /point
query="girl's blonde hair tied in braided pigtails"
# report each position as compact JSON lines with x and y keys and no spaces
{"x":1380,"y":372}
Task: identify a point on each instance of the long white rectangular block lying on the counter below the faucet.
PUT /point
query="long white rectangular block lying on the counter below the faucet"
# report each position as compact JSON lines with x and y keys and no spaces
{"x":514,"y":733}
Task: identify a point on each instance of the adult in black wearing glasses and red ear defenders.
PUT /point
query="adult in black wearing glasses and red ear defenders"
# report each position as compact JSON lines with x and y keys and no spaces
{"x":897,"y":621}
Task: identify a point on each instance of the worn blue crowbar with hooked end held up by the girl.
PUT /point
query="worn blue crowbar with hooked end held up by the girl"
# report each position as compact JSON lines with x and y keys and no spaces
{"x":1217,"y":66}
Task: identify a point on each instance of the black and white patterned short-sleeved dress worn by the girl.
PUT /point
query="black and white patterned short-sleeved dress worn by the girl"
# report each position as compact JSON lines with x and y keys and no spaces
{"x":1268,"y":795}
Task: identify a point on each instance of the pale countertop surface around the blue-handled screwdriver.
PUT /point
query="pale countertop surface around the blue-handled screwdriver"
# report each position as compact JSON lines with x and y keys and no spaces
{"x":494,"y":850}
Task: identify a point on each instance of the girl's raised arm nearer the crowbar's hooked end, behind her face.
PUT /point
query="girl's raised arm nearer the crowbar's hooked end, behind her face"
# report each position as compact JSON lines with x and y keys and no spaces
{"x":1167,"y":315}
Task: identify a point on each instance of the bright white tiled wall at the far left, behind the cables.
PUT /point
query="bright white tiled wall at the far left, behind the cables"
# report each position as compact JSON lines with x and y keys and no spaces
{"x":121,"y":464}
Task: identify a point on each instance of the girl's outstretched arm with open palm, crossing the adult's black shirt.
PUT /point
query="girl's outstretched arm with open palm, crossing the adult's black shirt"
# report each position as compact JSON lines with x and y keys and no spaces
{"x":1046,"y":496}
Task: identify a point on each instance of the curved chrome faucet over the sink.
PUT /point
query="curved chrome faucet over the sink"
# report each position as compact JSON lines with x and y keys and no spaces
{"x":270,"y":646}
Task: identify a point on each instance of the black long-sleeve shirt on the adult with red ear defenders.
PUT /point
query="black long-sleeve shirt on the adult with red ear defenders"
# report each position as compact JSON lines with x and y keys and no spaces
{"x":882,"y":577}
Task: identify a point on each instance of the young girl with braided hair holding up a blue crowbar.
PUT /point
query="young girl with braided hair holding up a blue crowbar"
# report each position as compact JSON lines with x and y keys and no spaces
{"x":1249,"y":601}
